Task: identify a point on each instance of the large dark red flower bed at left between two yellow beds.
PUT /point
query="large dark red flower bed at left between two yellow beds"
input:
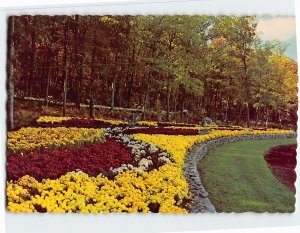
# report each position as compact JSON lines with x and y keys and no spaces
{"x":92,"y":159}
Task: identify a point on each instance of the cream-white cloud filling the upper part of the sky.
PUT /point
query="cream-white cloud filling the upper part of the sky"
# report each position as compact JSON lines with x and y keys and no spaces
{"x":277,"y":28}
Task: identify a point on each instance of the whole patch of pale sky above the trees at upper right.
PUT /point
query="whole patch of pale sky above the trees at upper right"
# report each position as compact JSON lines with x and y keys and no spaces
{"x":282,"y":29}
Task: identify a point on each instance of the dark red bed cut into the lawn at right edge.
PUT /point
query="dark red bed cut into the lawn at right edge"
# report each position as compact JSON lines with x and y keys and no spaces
{"x":282,"y":162}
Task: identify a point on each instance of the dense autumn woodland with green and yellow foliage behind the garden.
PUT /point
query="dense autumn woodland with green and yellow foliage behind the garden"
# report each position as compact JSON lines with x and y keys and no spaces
{"x":166,"y":65}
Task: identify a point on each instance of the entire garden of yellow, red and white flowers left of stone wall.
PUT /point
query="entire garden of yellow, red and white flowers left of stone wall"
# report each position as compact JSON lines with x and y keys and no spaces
{"x":69,"y":164}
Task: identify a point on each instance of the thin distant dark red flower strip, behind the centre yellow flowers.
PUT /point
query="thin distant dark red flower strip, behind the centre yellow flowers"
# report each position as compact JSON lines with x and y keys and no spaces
{"x":161,"y":130}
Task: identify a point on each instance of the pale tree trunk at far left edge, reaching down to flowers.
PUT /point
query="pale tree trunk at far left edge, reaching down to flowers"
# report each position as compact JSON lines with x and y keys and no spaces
{"x":11,"y":28}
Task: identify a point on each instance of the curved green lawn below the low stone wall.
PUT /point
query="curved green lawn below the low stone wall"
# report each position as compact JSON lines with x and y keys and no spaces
{"x":238,"y":179}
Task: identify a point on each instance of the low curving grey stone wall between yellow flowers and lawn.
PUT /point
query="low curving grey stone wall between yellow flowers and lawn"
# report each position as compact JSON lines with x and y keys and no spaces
{"x":200,"y":201}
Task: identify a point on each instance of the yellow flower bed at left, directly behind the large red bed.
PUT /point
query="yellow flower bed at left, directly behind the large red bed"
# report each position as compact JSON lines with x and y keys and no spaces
{"x":29,"y":139}
